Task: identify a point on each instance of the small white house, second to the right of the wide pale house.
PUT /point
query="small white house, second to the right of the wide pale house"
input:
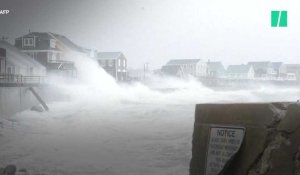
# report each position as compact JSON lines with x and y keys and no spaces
{"x":240,"y":72}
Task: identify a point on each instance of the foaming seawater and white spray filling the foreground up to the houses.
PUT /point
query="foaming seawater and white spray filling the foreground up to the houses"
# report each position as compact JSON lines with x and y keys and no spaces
{"x":109,"y":128}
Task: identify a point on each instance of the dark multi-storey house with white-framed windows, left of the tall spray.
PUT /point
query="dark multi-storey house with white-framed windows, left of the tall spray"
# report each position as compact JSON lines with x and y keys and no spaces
{"x":49,"y":50}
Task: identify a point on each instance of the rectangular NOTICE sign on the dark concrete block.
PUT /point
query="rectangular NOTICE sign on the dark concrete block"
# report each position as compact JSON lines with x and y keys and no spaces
{"x":224,"y":142}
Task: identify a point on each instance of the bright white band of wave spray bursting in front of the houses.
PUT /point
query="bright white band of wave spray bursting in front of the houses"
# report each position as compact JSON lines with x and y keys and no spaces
{"x":95,"y":86}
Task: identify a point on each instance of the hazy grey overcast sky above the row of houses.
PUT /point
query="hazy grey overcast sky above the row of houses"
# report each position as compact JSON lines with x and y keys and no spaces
{"x":155,"y":31}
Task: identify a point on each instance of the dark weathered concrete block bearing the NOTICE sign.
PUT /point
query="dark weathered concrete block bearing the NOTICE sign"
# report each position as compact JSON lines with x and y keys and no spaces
{"x":271,"y":143}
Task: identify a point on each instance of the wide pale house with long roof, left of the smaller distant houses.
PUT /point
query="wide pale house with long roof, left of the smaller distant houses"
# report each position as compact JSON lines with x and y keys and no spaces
{"x":185,"y":67}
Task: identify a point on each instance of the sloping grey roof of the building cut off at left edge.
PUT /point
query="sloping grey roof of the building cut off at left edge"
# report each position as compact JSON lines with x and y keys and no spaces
{"x":19,"y":58}
